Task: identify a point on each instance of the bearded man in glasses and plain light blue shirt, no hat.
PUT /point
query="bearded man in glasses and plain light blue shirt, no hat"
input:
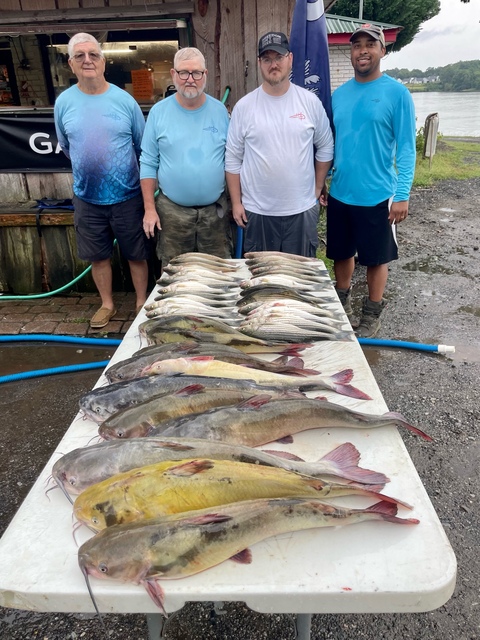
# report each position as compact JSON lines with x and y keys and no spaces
{"x":183,"y":150}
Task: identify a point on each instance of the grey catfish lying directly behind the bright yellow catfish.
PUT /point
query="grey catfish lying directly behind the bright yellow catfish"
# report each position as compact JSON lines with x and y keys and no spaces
{"x":83,"y":467}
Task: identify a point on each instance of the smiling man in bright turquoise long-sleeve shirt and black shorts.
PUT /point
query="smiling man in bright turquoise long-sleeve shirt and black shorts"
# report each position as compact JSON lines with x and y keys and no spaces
{"x":374,"y":164}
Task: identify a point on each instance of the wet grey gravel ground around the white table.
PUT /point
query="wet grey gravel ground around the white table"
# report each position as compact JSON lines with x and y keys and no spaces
{"x":432,"y":298}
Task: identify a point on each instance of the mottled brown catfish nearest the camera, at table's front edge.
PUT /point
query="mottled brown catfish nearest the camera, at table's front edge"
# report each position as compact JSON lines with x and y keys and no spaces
{"x":178,"y":547}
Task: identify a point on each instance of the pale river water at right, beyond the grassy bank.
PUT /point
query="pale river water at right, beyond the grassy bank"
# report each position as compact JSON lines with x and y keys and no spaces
{"x":458,"y":113}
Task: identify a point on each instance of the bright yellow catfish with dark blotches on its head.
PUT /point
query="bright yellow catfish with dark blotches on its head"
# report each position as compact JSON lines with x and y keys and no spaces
{"x":175,"y":486}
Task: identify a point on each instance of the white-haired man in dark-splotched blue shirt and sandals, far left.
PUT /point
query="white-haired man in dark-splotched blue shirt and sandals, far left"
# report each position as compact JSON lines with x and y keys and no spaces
{"x":100,"y":127}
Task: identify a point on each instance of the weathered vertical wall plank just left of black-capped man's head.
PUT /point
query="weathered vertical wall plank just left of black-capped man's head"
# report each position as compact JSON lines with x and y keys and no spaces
{"x":232,"y":65}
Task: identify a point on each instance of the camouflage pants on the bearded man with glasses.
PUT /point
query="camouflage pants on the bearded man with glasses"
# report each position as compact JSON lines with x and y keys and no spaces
{"x":185,"y":229}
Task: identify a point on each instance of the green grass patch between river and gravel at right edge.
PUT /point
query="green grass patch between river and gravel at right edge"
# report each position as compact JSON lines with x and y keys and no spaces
{"x":452,"y":160}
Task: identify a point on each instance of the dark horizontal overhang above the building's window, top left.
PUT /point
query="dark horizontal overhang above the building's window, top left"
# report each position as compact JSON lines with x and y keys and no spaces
{"x":96,"y":19}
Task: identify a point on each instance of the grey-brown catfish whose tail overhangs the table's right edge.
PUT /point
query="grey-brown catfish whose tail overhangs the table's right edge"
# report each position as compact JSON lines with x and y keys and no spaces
{"x":257,"y":422}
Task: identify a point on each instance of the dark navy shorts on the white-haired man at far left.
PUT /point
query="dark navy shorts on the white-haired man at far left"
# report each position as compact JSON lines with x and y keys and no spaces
{"x":96,"y":226}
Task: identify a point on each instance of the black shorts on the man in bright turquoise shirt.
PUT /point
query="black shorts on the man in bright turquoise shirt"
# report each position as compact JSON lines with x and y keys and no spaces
{"x":362,"y":230}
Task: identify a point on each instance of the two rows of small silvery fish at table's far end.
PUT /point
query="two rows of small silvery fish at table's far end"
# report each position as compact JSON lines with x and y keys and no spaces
{"x":287,"y":297}
